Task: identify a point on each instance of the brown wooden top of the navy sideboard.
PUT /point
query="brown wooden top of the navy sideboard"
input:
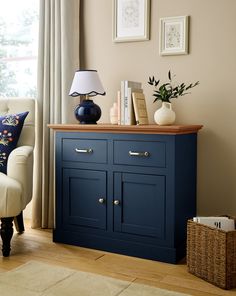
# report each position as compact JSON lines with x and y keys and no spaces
{"x":138,"y":129}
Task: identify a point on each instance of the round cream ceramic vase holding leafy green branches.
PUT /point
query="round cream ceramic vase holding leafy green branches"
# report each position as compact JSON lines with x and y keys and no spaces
{"x":164,"y":115}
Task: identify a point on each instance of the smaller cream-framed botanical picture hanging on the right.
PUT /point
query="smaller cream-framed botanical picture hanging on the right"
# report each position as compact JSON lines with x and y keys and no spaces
{"x":174,"y":35}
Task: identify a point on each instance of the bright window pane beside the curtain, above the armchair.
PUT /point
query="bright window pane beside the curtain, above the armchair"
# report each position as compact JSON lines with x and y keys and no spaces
{"x":18,"y":47}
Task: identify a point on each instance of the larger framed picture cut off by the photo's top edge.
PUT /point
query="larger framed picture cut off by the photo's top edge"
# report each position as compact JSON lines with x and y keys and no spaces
{"x":131,"y":20}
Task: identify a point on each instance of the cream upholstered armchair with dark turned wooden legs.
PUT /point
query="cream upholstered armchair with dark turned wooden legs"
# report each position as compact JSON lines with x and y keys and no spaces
{"x":16,"y":185}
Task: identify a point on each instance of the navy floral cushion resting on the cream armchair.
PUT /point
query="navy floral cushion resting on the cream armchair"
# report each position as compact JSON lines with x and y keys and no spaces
{"x":10,"y":129}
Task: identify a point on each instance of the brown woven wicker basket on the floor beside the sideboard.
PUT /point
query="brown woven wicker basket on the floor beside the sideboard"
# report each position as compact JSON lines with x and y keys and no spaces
{"x":211,"y":254}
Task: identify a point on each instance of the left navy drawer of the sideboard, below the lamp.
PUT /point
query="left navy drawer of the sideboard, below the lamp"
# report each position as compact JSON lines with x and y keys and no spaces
{"x":84,"y":150}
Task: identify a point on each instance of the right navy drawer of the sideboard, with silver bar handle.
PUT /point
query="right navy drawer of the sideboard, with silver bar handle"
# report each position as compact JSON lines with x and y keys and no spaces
{"x":140,"y":153}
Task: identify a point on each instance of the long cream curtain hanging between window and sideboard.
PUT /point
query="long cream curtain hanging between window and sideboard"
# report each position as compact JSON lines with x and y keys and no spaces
{"x":58,"y":58}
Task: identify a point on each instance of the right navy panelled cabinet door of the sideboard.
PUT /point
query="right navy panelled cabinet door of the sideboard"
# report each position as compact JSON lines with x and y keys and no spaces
{"x":139,"y":204}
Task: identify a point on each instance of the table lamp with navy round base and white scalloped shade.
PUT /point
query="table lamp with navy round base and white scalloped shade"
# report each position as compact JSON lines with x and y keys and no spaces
{"x":87,"y":83}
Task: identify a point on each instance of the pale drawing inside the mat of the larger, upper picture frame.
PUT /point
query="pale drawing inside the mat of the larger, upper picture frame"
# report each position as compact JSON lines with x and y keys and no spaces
{"x":130,"y":14}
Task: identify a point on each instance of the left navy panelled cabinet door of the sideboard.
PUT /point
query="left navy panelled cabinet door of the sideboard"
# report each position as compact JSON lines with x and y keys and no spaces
{"x":84,"y":198}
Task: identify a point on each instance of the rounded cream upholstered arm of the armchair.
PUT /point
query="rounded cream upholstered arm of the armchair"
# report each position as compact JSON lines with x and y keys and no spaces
{"x":20,"y":168}
